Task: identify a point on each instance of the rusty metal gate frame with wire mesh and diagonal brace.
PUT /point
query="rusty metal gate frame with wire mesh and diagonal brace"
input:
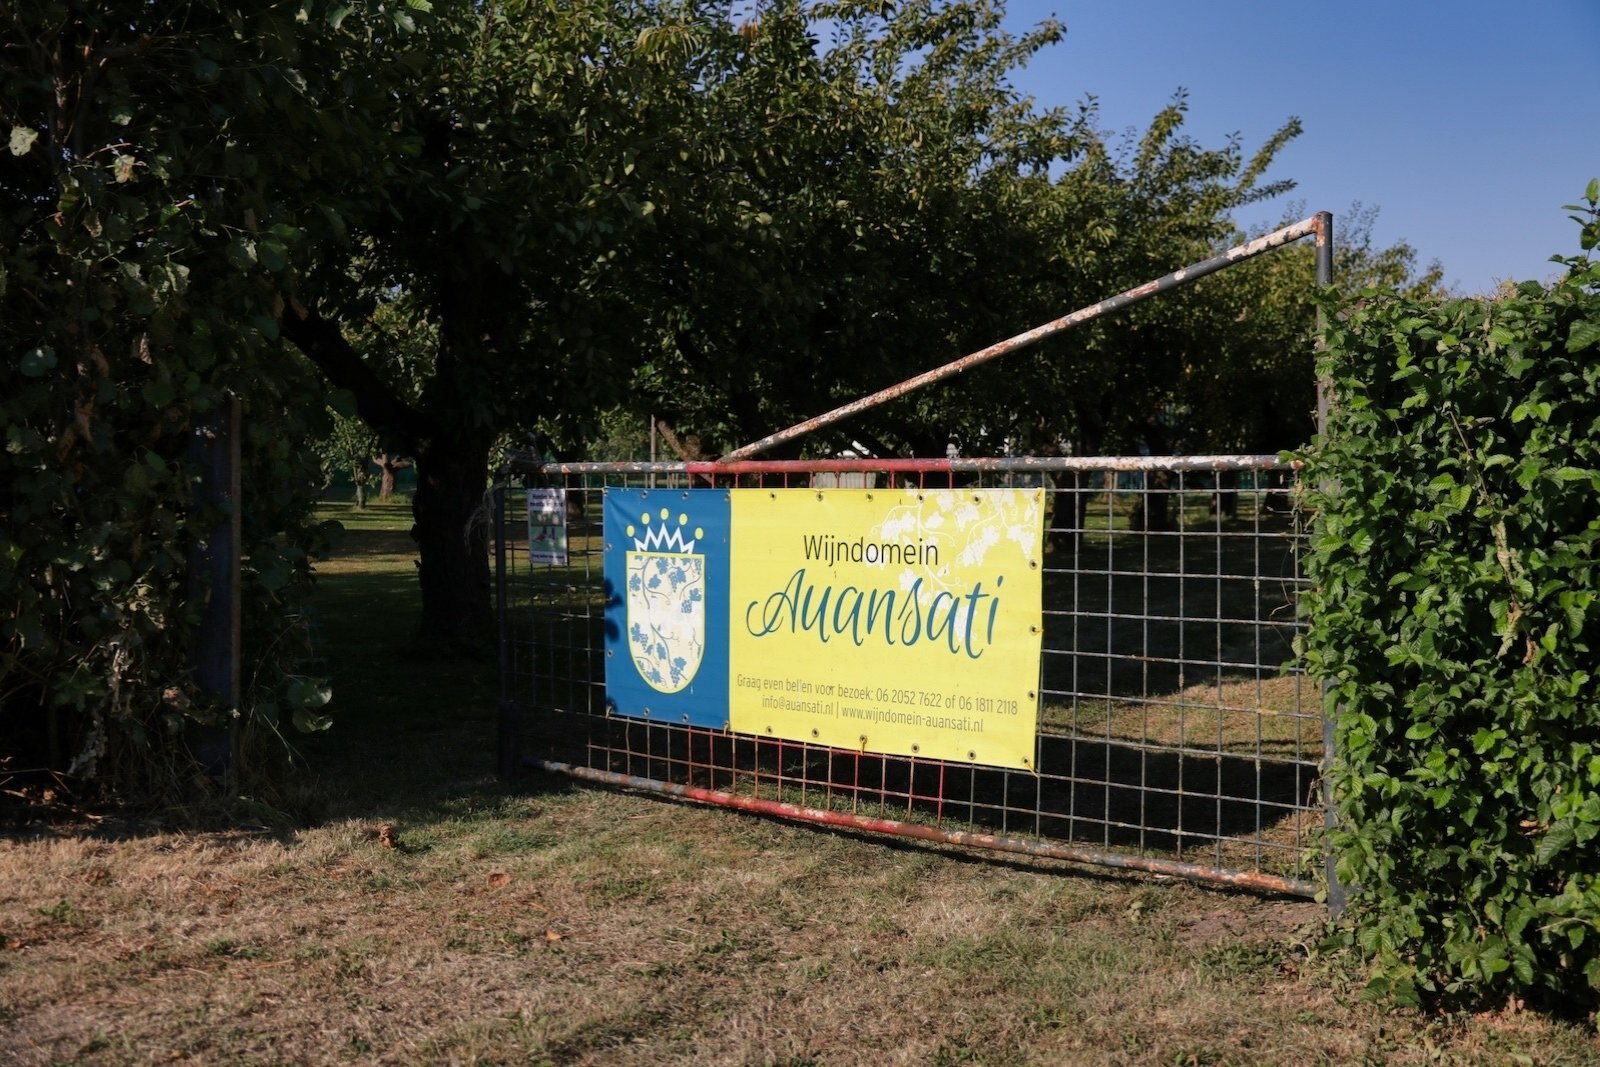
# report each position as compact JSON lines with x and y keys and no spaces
{"x":1194,"y":478}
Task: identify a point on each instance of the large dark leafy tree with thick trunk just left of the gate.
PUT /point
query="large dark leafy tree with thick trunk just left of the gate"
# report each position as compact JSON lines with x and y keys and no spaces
{"x":567,"y":190}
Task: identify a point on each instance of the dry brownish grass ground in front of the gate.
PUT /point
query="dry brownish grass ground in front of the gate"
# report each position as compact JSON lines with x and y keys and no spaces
{"x":418,"y":911}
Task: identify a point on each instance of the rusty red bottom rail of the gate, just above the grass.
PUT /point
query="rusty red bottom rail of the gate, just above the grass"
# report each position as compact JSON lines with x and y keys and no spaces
{"x":1044,"y":850}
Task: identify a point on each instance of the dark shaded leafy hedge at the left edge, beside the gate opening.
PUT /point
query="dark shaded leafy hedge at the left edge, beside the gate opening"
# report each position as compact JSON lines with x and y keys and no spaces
{"x":137,"y":241}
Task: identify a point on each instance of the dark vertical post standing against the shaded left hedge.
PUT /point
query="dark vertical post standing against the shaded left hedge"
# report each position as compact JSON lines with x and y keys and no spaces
{"x":215,"y":583}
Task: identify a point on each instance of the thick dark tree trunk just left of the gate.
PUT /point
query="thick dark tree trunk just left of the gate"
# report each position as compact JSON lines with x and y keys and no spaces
{"x":454,"y":540}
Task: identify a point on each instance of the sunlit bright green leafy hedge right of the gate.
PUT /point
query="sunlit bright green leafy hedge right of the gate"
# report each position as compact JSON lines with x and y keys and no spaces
{"x":1454,"y":613}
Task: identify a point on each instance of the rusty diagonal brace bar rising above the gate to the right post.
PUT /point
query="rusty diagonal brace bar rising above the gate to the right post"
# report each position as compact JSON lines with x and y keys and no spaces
{"x":1278,"y":239}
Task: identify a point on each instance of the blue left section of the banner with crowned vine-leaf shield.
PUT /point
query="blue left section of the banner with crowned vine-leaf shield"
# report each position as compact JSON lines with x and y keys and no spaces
{"x":666,"y":612}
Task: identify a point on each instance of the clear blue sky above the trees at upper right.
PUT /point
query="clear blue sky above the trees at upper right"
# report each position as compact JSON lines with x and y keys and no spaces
{"x":1468,"y":124}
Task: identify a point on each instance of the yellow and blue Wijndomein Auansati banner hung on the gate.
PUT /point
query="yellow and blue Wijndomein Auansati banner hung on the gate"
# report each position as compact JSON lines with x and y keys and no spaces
{"x":890,"y":621}
